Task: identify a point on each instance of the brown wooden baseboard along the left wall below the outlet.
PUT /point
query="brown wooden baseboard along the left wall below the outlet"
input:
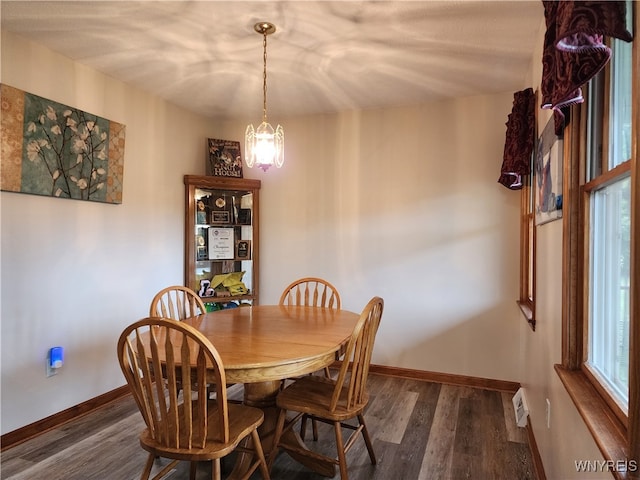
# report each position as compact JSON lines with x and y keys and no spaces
{"x":27,"y":432}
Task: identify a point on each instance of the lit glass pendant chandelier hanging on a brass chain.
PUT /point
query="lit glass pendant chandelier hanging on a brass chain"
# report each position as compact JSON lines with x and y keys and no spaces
{"x":264,"y":146}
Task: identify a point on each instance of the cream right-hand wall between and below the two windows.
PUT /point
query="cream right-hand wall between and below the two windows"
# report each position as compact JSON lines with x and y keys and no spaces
{"x":568,"y":439}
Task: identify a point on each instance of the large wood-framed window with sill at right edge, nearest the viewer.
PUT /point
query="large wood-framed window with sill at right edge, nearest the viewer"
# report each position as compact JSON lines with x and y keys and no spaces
{"x":600,"y":364}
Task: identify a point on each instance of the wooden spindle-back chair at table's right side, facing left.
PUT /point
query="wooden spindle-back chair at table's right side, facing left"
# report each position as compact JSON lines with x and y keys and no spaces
{"x":335,"y":401}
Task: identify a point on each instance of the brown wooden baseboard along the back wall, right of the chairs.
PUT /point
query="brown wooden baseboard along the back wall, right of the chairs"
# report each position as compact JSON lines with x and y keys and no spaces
{"x":447,"y":378}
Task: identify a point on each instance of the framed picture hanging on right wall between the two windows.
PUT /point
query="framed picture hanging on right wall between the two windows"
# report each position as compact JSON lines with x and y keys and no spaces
{"x":548,"y":175}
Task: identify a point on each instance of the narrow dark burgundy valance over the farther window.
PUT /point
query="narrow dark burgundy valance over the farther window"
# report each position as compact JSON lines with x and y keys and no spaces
{"x":519,"y":140}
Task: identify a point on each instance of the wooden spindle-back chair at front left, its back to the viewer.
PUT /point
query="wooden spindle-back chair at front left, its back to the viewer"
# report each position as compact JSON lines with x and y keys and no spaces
{"x":157,"y":355}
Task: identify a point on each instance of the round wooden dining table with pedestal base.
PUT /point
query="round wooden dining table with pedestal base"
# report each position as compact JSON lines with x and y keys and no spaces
{"x":262,"y":345}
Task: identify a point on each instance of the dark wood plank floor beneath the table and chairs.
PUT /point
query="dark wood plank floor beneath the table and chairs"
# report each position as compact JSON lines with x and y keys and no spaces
{"x":420,"y":430}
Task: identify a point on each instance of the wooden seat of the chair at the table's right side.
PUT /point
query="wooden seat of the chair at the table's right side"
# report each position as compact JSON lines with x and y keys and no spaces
{"x":313,"y":394}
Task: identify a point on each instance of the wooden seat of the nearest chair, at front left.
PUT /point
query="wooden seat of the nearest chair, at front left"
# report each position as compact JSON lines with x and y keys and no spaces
{"x":242,"y":420}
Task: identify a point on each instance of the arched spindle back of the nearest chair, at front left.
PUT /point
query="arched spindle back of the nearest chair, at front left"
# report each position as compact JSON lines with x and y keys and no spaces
{"x":159,"y":357}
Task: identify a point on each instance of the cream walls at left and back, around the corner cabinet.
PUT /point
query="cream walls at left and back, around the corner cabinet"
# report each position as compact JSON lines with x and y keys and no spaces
{"x":401,"y":203}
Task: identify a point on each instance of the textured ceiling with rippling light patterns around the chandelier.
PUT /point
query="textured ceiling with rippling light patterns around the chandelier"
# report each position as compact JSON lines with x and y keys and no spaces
{"x":324,"y":57}
